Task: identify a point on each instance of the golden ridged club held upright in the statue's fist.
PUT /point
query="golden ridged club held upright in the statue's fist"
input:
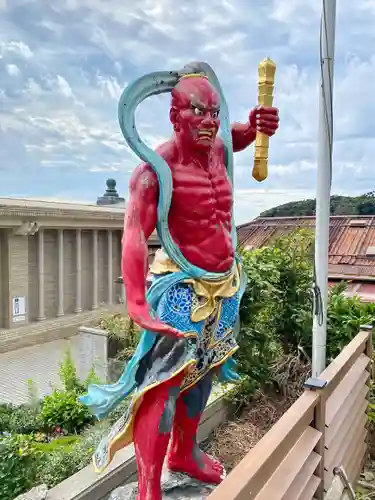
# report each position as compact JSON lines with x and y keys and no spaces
{"x":266,"y":81}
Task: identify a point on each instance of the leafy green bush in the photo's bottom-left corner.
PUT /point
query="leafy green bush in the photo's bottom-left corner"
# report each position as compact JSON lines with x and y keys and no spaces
{"x":18,"y":465}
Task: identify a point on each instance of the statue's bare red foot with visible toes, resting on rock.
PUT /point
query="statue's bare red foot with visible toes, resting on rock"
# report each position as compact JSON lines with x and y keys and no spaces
{"x":198,"y":465}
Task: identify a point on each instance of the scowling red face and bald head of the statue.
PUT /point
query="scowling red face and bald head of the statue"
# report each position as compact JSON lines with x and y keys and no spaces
{"x":195,"y":112}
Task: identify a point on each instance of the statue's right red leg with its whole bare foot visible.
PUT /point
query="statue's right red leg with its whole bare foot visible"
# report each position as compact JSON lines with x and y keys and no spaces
{"x":185,"y":455}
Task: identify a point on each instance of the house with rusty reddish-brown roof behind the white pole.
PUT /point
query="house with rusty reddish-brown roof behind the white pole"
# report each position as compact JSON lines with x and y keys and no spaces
{"x":351,"y":246}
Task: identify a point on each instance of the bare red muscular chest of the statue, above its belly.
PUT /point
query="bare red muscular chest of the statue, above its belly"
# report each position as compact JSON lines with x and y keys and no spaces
{"x":202,"y":190}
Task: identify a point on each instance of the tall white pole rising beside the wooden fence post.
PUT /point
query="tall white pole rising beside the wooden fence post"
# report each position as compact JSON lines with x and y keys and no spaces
{"x":324,"y":182}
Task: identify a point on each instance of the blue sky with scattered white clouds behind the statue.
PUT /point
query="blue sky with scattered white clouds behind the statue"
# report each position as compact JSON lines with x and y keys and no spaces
{"x":64,"y":64}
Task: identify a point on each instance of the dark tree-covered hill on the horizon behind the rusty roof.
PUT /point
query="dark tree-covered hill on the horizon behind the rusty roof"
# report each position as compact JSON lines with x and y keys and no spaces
{"x":340,"y":205}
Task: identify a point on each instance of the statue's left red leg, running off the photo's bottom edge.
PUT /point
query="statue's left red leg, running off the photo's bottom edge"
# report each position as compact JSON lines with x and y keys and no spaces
{"x":152,"y":428}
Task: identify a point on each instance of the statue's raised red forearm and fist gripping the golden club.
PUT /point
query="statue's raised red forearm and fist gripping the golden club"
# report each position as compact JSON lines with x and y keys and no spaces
{"x":265,"y":120}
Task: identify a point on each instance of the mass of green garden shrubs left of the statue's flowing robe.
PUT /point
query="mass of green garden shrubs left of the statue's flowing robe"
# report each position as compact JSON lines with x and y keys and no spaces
{"x":30,"y":456}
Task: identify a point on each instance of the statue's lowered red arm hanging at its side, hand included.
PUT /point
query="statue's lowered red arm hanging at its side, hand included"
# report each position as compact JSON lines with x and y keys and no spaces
{"x":140,"y":222}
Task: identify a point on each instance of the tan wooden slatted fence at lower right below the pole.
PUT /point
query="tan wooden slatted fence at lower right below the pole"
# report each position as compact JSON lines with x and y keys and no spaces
{"x":324,"y":429}
